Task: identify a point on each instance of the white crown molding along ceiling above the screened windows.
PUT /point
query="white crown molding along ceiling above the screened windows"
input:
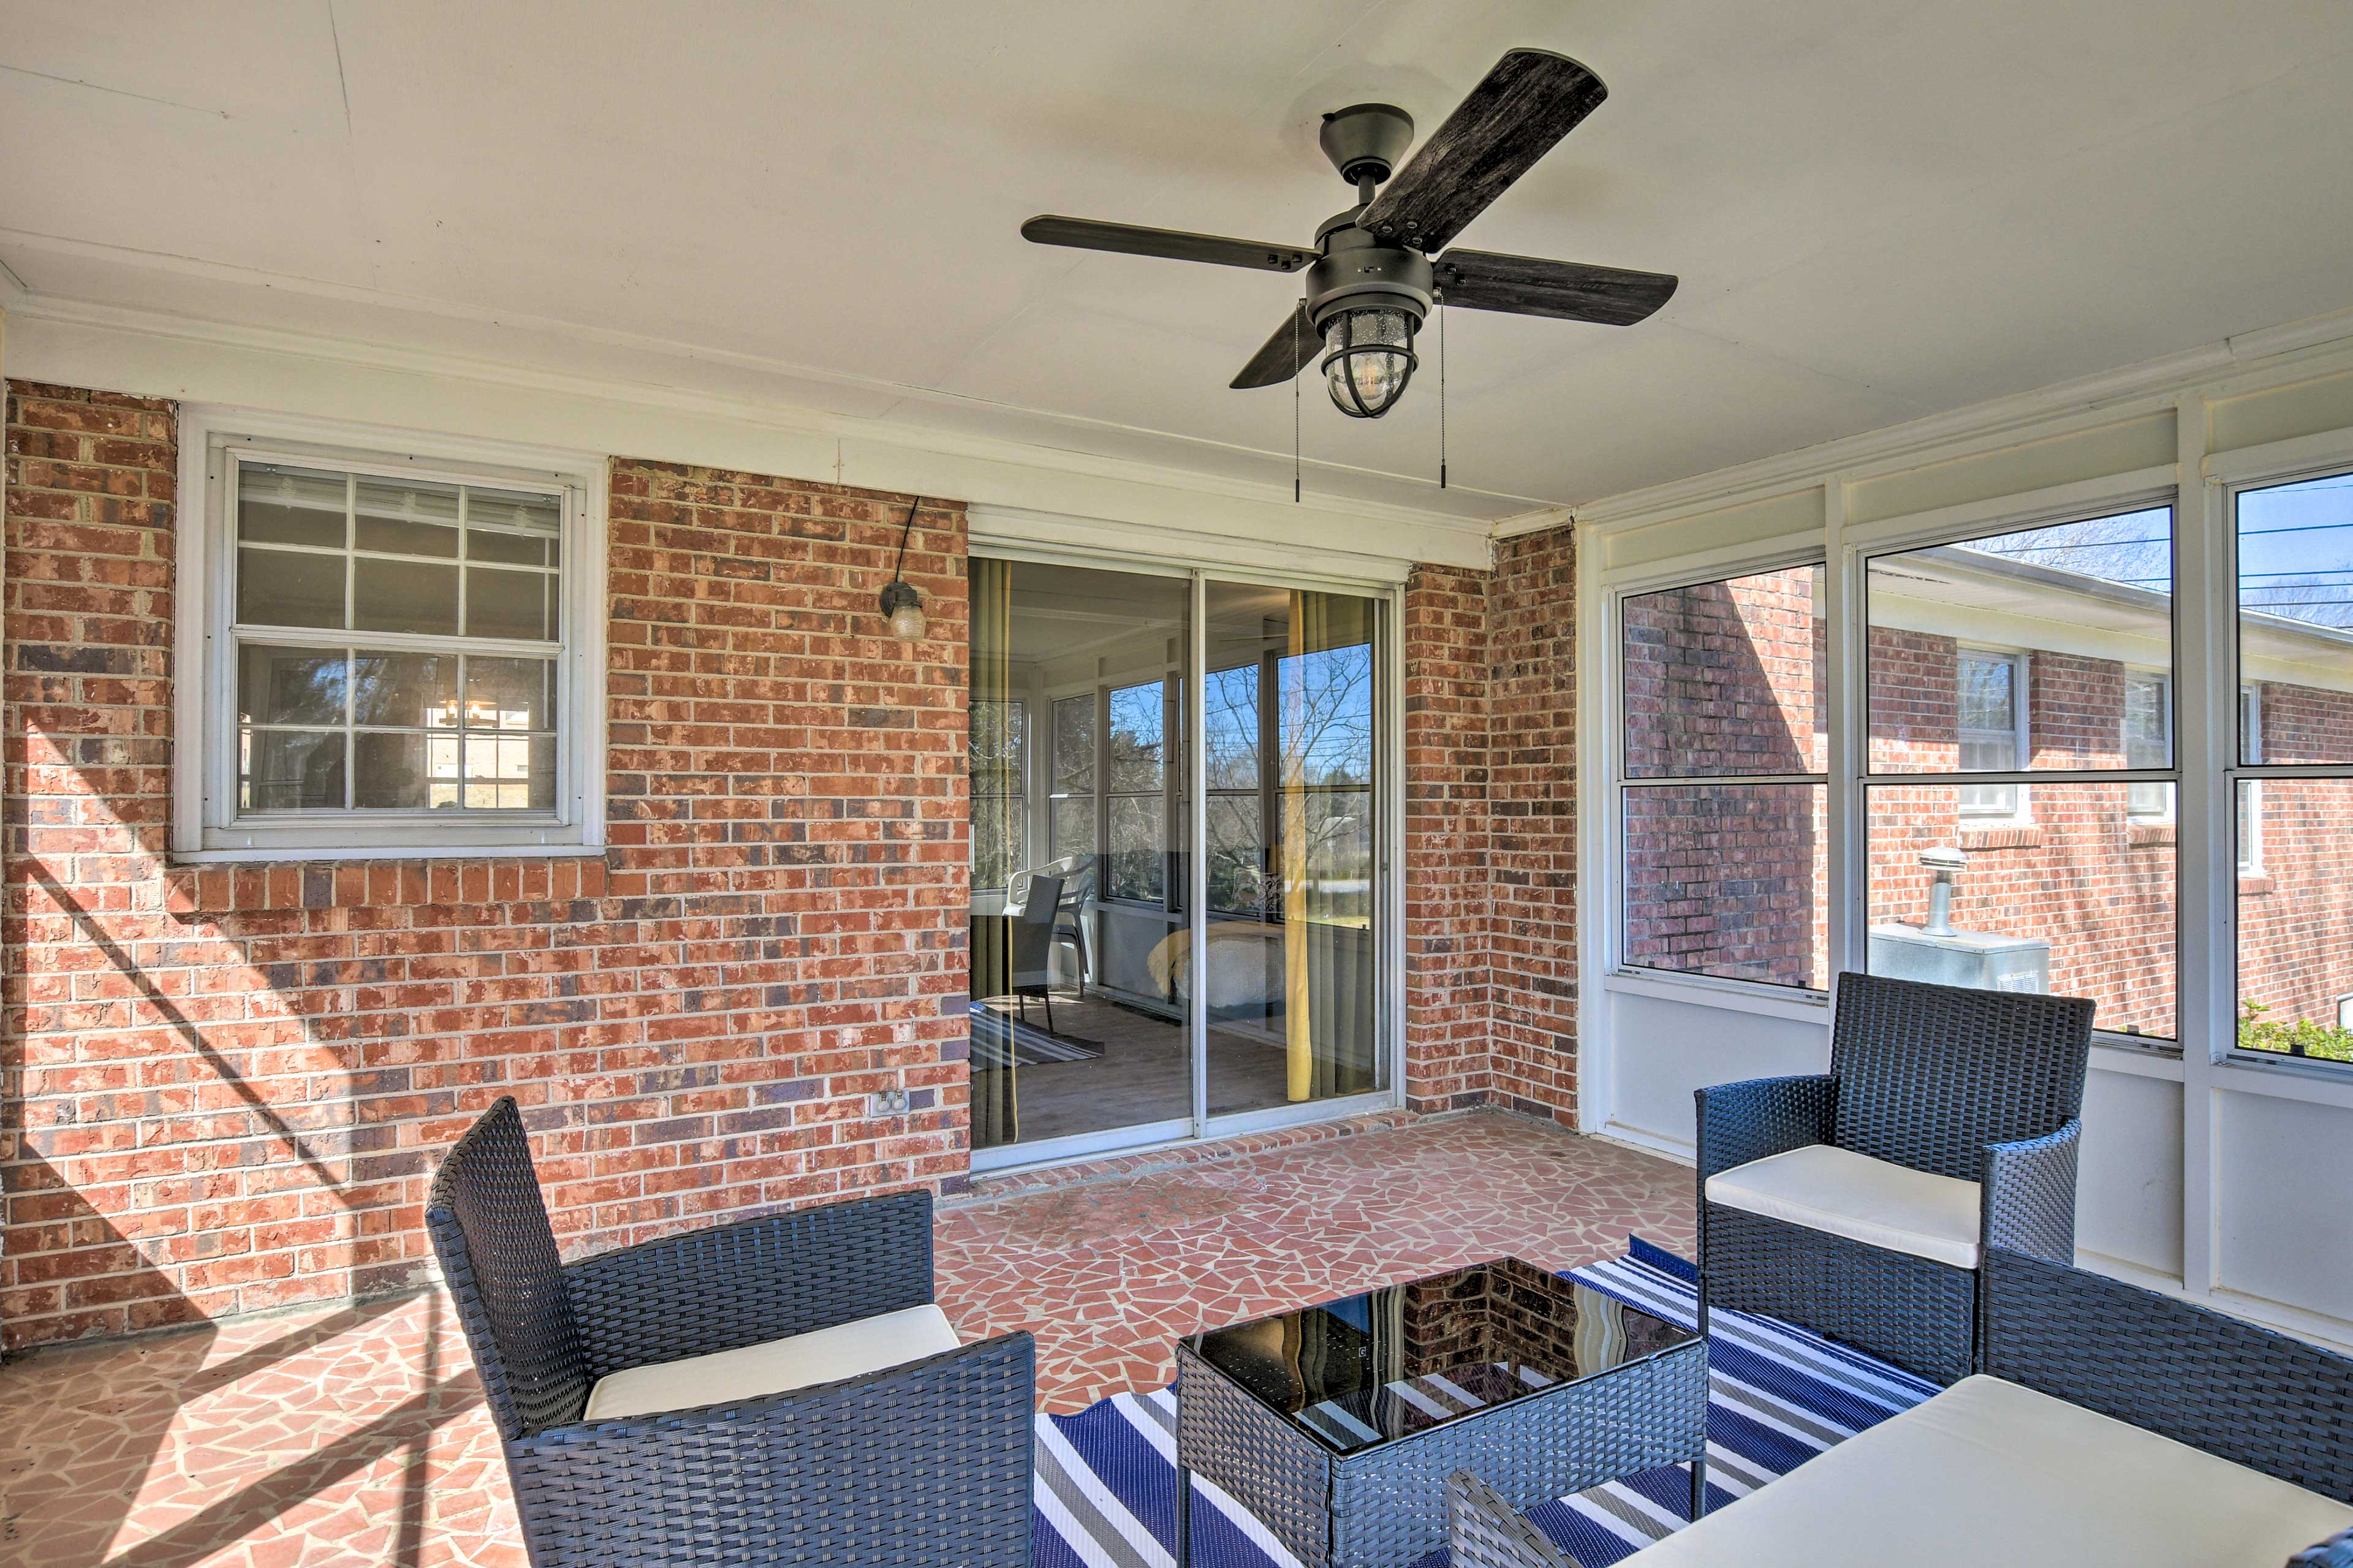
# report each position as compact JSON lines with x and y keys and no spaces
{"x":2312,"y":345}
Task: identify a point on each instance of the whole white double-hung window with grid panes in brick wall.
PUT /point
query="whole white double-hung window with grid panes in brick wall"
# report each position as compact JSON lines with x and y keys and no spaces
{"x":392,"y":658}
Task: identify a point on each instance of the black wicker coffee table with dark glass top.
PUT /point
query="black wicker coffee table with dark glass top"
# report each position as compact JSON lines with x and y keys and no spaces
{"x":1340,"y":1423}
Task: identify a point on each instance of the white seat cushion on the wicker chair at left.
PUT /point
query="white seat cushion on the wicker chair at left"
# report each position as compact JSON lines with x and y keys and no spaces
{"x":825,"y":1355}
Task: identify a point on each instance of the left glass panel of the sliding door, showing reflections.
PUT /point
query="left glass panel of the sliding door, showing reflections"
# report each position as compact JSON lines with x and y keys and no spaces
{"x":1081,"y":1018}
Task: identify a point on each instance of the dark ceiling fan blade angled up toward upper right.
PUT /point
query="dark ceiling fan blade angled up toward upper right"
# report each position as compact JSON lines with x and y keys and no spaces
{"x":1512,"y":119}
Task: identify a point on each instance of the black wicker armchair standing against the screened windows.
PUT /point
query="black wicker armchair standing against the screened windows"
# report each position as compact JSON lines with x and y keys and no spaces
{"x":1968,"y":1087}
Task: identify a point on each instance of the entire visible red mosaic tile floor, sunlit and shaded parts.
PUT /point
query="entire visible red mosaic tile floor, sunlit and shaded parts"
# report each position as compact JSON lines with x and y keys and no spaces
{"x":356,"y":1437}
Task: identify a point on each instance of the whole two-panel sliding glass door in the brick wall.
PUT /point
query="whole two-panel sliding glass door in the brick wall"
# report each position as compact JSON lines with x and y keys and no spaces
{"x":1121,"y":992}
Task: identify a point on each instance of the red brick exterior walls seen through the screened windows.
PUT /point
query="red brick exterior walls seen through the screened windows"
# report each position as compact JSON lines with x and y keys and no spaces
{"x":1726,"y":679}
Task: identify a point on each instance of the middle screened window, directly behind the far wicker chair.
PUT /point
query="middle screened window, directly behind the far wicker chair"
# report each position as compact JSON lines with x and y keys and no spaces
{"x":1989,"y":667}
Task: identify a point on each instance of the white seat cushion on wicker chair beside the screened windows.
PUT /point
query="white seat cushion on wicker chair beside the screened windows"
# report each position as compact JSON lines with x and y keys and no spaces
{"x":1858,"y":1197}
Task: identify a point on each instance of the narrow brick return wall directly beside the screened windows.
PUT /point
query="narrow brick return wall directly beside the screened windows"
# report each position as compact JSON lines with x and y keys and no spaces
{"x":1533,"y":820}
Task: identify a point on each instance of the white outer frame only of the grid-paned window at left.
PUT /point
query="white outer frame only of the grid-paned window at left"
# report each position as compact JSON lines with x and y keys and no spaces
{"x":206,"y":825}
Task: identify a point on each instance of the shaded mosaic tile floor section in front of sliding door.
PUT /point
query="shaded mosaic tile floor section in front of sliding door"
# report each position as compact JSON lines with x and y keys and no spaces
{"x":1109,"y":1275}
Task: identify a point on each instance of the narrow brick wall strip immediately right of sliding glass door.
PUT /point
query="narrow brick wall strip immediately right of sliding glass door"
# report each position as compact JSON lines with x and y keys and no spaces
{"x":1446,"y":842}
